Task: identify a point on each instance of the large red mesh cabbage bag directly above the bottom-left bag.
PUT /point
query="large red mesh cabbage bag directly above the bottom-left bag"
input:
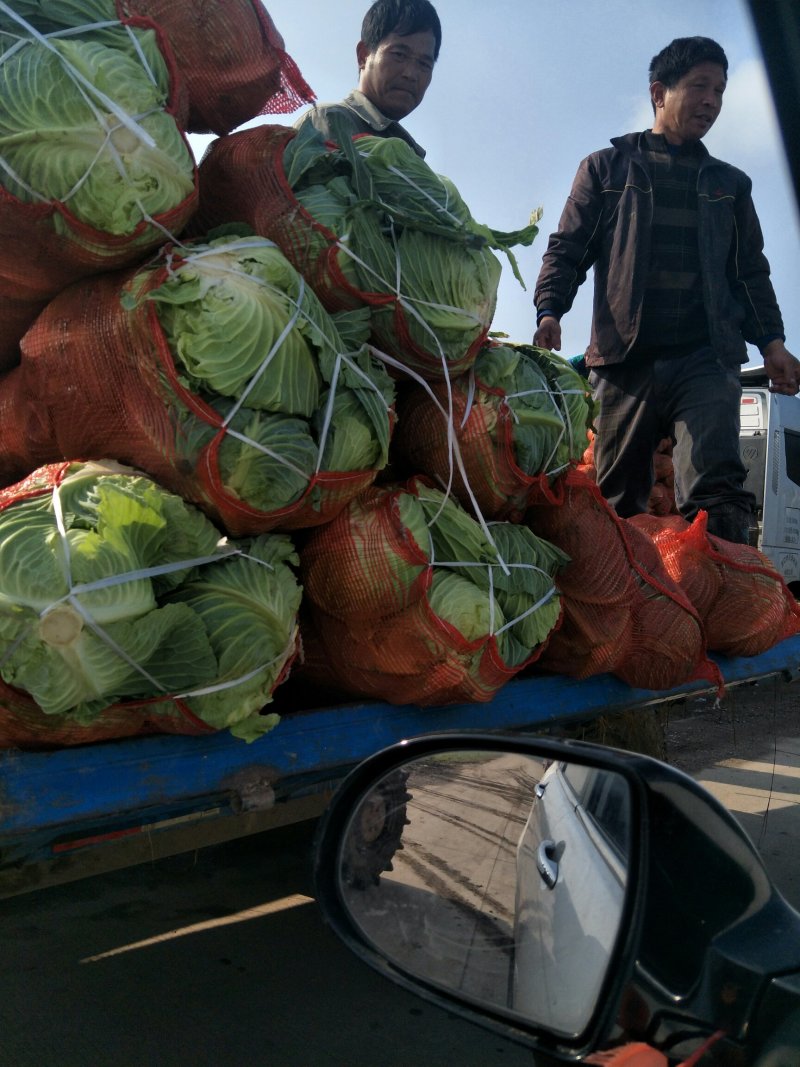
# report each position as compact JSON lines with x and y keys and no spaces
{"x":214,"y":369}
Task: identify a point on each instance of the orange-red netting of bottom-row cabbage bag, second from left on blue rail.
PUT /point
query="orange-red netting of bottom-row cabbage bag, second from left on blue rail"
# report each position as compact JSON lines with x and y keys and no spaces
{"x":369,"y":628}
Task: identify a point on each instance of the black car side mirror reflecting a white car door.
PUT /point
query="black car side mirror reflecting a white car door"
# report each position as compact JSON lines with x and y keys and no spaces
{"x":563,"y":894}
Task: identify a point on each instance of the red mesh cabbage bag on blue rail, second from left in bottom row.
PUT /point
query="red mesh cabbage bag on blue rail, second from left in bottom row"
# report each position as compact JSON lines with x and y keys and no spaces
{"x":410,"y":600}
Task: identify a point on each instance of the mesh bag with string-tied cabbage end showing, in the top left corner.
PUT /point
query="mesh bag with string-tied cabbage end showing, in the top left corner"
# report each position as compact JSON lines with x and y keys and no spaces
{"x":95,"y":169}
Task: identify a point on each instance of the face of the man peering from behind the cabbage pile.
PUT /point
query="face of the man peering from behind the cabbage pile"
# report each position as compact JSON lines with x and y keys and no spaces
{"x":397,"y":74}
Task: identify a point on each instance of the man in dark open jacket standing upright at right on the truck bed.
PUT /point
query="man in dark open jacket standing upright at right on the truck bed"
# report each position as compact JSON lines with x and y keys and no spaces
{"x":681,"y":284}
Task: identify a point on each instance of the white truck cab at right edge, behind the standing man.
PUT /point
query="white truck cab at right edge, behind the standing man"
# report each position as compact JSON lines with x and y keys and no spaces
{"x":771,"y":451}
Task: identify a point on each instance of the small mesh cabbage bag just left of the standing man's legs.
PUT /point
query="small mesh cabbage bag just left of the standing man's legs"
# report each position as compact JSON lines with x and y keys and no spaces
{"x":519,"y":416}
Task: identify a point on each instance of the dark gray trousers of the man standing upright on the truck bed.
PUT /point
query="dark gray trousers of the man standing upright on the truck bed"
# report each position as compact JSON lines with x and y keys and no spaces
{"x":696,"y":401}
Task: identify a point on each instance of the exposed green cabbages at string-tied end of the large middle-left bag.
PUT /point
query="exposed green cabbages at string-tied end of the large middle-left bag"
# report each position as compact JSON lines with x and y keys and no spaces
{"x":252,"y":341}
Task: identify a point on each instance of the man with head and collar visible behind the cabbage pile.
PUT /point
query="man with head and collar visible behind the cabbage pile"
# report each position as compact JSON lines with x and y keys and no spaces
{"x":398,"y":50}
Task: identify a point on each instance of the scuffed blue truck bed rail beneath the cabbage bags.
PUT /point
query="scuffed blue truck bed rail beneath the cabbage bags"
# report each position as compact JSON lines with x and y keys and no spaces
{"x":74,"y":799}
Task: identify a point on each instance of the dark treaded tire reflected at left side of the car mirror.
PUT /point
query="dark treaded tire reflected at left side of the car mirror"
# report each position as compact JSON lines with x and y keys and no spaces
{"x":376,"y":834}
